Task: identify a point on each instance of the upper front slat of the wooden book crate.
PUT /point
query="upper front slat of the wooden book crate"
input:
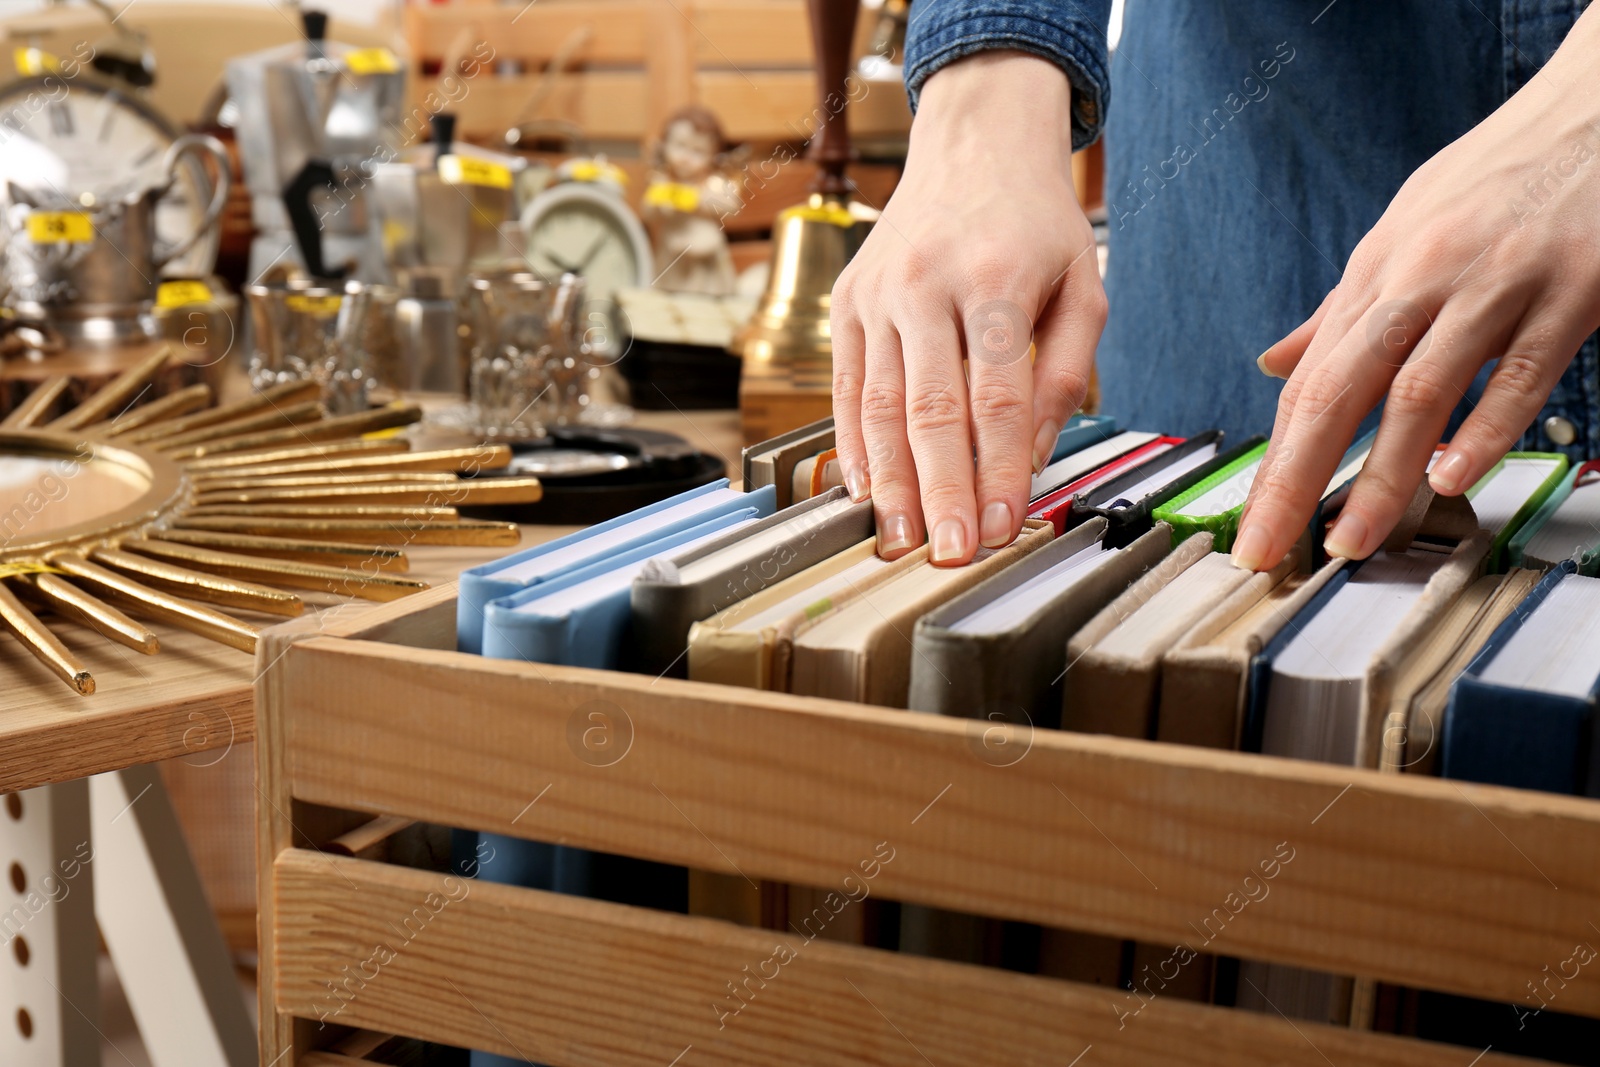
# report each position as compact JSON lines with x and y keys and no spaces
{"x":1441,"y":885}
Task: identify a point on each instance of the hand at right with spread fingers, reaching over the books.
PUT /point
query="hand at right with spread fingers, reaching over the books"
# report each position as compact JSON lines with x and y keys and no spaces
{"x":1490,"y":252}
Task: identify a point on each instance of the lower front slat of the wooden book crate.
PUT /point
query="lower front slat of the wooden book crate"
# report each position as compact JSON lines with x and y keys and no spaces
{"x":567,"y":981}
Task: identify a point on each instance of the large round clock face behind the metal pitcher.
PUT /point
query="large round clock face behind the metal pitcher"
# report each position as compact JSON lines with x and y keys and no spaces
{"x":81,"y":137}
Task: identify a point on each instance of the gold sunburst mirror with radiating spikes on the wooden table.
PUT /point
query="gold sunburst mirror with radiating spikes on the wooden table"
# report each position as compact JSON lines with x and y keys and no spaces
{"x":174,"y":511}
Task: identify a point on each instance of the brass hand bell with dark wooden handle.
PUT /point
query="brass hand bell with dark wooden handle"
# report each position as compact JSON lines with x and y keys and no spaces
{"x":812,"y":241}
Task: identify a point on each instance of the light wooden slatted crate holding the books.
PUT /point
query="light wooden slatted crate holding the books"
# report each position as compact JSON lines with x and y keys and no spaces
{"x":1428,"y":884}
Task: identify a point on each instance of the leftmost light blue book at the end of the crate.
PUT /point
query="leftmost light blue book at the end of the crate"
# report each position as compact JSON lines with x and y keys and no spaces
{"x":577,"y":551}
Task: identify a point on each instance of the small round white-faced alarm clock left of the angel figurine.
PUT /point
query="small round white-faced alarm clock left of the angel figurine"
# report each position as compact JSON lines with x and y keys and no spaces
{"x":588,"y":230}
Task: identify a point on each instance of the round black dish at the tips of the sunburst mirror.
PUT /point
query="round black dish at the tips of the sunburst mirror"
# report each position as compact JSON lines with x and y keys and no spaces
{"x":591,"y":476}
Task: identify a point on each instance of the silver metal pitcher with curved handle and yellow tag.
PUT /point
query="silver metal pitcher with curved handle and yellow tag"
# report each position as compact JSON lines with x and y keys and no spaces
{"x":92,"y":266}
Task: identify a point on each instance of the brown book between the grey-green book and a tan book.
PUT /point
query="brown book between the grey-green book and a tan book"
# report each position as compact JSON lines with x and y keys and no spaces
{"x":1114,"y":663}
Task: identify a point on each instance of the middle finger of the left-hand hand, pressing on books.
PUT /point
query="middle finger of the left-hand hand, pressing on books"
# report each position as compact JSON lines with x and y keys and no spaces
{"x":938,"y":428}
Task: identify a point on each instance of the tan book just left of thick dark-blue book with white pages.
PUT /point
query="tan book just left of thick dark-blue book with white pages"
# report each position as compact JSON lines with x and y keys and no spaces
{"x":1204,"y":676}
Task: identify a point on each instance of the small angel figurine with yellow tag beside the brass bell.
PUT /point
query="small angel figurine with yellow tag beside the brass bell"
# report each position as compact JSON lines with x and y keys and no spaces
{"x":692,"y":193}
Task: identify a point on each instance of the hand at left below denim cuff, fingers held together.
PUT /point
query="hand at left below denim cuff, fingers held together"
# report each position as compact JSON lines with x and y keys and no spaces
{"x":983,"y":249}
